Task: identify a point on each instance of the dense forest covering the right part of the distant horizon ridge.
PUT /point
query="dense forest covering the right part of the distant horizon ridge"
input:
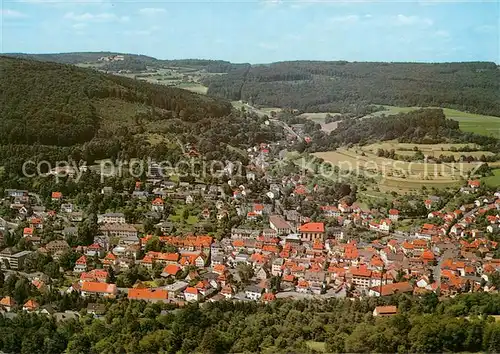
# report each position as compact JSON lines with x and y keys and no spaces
{"x":329,"y":86}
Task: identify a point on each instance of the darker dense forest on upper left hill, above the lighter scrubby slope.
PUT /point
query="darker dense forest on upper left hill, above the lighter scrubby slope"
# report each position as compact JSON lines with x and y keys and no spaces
{"x":54,"y":104}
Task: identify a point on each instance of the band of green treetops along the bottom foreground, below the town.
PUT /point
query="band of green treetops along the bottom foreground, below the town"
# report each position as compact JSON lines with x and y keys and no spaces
{"x":423,"y":325}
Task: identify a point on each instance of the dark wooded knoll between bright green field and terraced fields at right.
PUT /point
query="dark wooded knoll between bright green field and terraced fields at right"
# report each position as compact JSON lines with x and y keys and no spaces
{"x":423,"y":126}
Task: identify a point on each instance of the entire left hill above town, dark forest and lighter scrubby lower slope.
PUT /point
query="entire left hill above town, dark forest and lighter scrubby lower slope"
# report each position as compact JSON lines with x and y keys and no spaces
{"x":51,"y":111}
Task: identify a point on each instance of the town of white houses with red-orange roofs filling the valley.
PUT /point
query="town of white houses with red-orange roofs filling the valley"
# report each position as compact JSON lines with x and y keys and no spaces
{"x":276,"y":251}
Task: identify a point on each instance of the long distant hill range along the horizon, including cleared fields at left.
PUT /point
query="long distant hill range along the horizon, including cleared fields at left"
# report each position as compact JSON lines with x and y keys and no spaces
{"x":317,"y":86}
